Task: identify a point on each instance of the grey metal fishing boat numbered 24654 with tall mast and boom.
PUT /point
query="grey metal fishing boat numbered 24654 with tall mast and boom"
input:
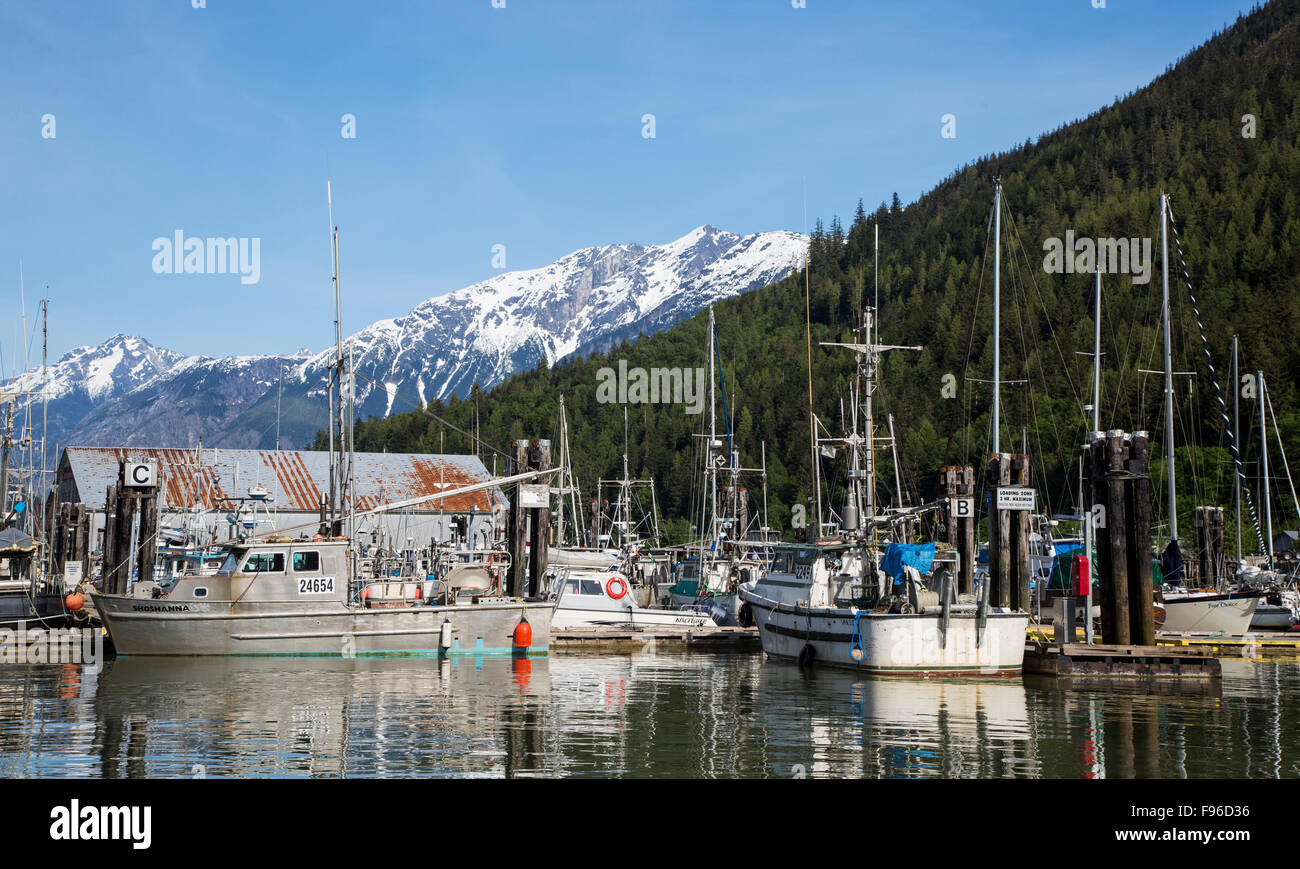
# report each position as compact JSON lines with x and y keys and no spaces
{"x":307,"y":595}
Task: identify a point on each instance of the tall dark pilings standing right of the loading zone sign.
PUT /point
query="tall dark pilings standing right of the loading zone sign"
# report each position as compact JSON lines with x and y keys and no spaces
{"x":1120,"y":473}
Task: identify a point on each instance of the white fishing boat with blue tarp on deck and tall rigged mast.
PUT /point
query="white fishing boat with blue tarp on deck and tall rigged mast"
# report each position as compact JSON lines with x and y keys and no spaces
{"x":844,"y":603}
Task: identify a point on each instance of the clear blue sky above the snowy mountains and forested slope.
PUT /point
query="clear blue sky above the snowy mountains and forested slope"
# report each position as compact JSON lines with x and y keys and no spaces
{"x":480,"y":127}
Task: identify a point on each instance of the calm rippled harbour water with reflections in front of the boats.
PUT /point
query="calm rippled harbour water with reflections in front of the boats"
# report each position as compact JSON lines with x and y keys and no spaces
{"x":621,"y":716}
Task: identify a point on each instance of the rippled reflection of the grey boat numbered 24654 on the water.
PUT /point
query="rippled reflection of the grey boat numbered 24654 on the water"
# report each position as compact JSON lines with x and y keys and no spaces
{"x":349,"y":717}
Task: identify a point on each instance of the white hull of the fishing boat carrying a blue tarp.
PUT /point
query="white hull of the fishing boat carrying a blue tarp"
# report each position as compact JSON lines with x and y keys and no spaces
{"x":892,"y":645}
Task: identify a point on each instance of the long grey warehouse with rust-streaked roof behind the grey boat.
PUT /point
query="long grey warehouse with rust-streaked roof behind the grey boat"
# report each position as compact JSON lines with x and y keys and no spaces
{"x":215,"y":495}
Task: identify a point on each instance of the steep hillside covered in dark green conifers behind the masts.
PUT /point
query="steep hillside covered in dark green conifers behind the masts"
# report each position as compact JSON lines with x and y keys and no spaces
{"x":1234,"y":201}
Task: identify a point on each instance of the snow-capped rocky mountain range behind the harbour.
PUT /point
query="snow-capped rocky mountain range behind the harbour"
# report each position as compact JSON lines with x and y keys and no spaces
{"x":127,"y":392}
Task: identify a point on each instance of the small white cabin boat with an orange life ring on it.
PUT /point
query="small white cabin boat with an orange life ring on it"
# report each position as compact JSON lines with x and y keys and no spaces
{"x":590,"y":598}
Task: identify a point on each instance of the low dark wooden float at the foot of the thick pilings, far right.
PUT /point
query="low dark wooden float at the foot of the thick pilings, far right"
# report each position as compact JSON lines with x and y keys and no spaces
{"x":1143,"y":662}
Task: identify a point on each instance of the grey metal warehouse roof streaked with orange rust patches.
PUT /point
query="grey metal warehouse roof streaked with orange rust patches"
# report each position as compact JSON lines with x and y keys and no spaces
{"x":296,"y":481}
